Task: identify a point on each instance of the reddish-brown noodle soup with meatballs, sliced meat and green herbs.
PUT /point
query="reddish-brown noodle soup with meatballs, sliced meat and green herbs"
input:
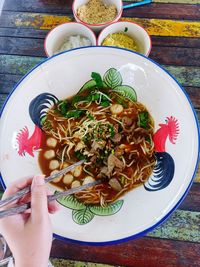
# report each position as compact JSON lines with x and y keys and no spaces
{"x":110,"y":132}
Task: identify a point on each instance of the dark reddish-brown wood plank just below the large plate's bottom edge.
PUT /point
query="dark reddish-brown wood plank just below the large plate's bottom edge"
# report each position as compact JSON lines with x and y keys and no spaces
{"x":142,"y":252}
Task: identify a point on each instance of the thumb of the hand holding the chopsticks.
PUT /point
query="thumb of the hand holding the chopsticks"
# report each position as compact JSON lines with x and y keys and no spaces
{"x":39,"y":208}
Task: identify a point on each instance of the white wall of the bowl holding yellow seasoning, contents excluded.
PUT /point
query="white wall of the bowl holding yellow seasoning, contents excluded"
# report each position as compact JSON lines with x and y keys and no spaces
{"x":134,"y":30}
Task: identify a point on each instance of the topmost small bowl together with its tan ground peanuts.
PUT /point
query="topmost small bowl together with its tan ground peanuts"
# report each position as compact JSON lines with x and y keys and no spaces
{"x":97,"y":14}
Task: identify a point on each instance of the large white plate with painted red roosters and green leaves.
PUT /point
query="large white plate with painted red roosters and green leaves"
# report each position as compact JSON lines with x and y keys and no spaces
{"x":176,"y":140}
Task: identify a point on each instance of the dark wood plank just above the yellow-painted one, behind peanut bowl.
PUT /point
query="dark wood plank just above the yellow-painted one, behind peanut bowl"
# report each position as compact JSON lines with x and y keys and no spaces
{"x":62,"y":7}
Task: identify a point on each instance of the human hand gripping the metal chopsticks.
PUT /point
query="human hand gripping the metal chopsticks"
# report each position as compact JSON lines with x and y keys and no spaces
{"x":29,"y":235}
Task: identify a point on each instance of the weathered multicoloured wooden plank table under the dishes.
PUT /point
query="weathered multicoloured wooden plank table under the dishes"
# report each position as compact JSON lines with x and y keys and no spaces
{"x":175,"y":30}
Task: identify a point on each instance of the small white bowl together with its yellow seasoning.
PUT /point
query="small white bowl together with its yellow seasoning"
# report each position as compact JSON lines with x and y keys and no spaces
{"x":126,"y":35}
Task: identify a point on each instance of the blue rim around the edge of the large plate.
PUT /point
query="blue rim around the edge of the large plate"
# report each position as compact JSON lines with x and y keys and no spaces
{"x":142,"y":233}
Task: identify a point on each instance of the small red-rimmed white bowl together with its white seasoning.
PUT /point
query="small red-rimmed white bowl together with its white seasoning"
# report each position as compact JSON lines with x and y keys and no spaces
{"x":68,"y":36}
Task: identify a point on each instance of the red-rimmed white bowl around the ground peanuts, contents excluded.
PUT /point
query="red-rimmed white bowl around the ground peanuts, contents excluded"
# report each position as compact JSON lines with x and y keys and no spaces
{"x":98,"y":27}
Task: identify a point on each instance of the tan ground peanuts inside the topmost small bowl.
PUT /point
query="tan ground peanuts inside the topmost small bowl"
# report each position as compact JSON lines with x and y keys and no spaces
{"x":96,"y":12}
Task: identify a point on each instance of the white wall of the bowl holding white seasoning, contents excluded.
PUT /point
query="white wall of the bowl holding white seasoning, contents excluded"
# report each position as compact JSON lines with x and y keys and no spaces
{"x":57,"y":36}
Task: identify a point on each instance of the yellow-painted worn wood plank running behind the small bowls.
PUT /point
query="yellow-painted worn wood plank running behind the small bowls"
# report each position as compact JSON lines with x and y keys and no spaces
{"x":158,"y":27}
